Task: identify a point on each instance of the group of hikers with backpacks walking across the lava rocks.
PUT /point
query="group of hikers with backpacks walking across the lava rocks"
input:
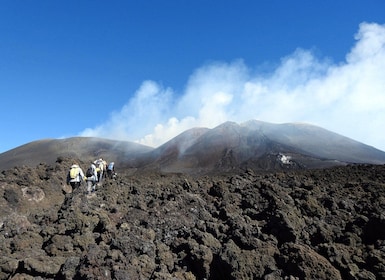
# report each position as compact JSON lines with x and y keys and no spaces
{"x":95,"y":174}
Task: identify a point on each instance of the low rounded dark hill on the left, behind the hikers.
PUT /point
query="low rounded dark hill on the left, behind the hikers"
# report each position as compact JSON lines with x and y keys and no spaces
{"x":85,"y":148}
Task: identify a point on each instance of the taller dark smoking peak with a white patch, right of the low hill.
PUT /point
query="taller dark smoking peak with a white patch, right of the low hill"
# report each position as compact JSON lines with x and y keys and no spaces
{"x":261,"y":145}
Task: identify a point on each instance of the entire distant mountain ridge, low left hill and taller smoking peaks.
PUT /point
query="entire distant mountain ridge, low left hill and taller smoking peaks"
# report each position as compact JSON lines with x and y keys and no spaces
{"x":227,"y":147}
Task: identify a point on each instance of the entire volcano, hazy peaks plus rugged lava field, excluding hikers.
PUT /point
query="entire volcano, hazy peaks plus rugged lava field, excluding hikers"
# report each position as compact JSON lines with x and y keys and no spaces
{"x":240,"y":201}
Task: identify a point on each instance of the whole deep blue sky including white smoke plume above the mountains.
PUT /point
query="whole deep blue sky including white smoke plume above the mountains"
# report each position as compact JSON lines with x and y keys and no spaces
{"x":145,"y":71}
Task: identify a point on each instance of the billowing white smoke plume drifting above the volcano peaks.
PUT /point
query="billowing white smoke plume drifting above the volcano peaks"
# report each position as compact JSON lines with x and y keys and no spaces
{"x":347,"y":98}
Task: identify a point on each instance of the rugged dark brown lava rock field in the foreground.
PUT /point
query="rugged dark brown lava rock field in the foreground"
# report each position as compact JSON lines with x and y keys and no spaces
{"x":309,"y":224}
